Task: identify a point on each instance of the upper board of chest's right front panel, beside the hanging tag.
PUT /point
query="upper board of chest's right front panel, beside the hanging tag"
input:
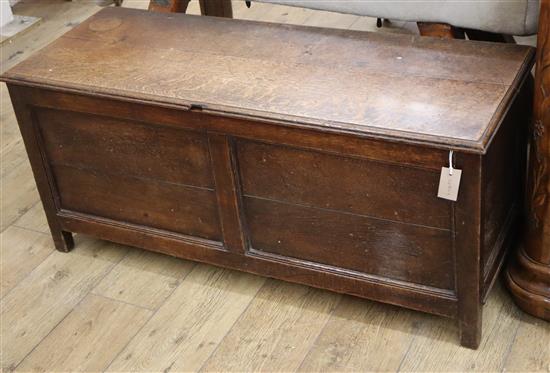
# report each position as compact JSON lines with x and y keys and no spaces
{"x":365,"y":187}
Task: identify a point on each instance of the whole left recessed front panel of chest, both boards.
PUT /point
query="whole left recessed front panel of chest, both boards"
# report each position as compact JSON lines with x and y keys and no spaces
{"x":131,"y":172}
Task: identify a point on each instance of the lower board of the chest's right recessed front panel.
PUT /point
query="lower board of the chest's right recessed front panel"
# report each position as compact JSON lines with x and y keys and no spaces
{"x":393,"y":250}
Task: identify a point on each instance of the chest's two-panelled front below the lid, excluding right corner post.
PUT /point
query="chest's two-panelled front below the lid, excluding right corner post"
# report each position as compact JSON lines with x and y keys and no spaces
{"x":322,"y":209}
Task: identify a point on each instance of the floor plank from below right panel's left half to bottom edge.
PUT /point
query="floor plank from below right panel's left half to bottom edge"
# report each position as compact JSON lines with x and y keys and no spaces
{"x":276,"y":331}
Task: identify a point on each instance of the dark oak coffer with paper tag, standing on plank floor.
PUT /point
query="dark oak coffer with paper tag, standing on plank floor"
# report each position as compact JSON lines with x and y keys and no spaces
{"x":385,"y":166}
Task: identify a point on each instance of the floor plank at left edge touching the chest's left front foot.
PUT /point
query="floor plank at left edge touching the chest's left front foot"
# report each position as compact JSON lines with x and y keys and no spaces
{"x":22,"y":251}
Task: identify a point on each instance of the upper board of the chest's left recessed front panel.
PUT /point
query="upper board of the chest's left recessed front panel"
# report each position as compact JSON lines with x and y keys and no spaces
{"x":128,"y":148}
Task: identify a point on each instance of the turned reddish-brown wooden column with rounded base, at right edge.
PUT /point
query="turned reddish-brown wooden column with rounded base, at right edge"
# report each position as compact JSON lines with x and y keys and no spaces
{"x":528,"y":273}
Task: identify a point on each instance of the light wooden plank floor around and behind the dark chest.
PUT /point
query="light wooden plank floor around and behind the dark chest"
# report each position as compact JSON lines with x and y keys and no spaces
{"x":115,"y":308}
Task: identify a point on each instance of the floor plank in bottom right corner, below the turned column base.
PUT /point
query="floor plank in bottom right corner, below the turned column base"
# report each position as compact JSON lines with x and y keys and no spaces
{"x":531,"y":349}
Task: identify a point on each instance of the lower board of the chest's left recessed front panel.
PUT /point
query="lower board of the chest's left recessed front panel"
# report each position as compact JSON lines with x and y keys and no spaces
{"x":177,"y":208}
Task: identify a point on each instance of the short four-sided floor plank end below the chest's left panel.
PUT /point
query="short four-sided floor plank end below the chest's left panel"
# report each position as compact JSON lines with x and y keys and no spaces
{"x":144,"y":278}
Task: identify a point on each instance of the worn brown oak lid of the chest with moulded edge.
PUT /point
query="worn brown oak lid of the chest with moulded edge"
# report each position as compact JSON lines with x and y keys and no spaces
{"x":443,"y":93}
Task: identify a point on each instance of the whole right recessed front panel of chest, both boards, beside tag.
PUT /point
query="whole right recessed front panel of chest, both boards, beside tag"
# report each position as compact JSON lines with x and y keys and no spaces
{"x":360,"y":215}
